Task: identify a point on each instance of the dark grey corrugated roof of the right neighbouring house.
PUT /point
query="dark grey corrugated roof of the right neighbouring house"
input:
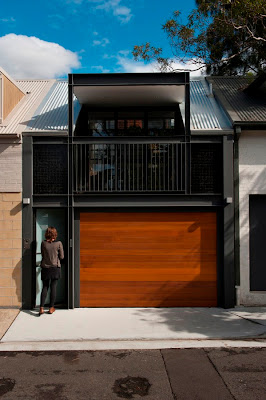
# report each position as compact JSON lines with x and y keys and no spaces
{"x":240,"y":106}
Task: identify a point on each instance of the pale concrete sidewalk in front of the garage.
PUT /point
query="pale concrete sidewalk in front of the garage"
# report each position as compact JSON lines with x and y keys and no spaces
{"x":133,"y":328}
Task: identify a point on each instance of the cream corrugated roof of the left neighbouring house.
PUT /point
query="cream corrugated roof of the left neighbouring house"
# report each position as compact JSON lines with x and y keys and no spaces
{"x":19,"y":118}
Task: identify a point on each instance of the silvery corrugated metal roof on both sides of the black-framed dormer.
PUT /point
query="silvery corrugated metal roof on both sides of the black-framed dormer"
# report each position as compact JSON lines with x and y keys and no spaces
{"x":52,"y":115}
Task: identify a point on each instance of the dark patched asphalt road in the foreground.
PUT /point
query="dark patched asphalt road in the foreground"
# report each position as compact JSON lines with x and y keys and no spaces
{"x":200,"y":374}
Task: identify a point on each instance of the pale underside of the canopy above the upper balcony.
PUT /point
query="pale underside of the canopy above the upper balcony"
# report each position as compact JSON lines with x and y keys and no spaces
{"x":130,"y":95}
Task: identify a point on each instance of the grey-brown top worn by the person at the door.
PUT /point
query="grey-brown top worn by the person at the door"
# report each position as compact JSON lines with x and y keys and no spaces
{"x":52,"y":253}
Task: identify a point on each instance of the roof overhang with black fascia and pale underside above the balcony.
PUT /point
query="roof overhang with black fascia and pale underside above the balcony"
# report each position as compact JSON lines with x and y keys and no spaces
{"x":130,"y":89}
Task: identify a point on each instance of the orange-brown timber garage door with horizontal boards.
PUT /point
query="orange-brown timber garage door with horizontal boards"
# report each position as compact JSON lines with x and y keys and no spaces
{"x":148,"y":259}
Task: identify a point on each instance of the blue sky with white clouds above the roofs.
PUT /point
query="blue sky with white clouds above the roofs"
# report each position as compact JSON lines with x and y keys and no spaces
{"x":49,"y":39}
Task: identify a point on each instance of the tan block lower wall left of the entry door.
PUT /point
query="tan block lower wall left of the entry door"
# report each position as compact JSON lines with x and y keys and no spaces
{"x":10,"y":249}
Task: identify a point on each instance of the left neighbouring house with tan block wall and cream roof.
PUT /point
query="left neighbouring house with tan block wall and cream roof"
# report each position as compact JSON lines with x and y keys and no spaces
{"x":18,"y":100}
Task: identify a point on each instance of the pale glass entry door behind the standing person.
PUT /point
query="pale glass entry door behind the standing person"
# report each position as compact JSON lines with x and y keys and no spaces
{"x":44,"y":218}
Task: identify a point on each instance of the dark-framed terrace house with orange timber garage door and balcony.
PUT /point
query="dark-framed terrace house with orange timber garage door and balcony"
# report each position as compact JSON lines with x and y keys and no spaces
{"x":136,"y":173}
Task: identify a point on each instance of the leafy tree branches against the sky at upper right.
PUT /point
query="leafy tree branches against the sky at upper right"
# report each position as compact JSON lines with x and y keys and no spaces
{"x":228,"y":37}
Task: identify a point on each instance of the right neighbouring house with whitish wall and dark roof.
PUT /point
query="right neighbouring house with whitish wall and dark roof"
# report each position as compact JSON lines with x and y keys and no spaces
{"x":245,"y":105}
